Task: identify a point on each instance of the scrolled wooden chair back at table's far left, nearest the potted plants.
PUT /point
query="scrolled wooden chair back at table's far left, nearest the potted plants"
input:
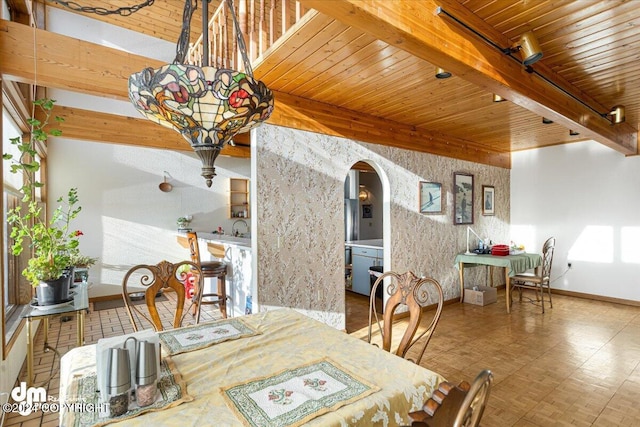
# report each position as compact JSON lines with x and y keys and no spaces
{"x":153,"y":280}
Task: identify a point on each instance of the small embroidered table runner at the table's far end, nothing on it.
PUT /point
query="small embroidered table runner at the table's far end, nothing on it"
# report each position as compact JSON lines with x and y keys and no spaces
{"x":181,"y":340}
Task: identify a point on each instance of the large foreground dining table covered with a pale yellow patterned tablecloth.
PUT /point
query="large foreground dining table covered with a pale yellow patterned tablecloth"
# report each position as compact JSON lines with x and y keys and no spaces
{"x":274,"y":368}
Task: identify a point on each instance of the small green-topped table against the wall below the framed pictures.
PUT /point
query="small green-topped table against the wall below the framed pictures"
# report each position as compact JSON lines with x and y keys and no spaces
{"x":513,"y":264}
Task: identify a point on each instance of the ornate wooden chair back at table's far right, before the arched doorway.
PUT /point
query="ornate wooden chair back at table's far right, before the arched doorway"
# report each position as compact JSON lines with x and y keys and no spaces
{"x":415,"y":293}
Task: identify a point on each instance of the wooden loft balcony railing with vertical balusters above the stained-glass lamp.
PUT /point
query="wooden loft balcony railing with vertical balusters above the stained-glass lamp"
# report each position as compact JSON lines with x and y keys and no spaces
{"x":262,"y":23}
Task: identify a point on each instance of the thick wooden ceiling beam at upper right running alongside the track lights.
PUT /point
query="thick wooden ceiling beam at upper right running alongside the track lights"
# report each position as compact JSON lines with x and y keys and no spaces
{"x":416,"y":28}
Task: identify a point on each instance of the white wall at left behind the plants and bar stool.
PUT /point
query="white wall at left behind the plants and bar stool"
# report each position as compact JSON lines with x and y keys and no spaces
{"x":125,"y":218}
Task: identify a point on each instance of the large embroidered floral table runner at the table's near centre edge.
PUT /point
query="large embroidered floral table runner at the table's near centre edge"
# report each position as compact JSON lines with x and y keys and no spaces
{"x":294,"y":396}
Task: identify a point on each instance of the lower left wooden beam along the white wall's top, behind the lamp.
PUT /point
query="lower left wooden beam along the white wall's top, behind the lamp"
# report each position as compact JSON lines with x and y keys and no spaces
{"x":111,"y":128}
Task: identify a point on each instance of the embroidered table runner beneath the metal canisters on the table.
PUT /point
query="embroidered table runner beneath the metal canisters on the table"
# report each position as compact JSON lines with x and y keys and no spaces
{"x":83,"y":405}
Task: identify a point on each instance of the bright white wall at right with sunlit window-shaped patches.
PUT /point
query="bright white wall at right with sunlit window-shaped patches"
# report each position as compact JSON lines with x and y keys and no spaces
{"x":587,"y":196}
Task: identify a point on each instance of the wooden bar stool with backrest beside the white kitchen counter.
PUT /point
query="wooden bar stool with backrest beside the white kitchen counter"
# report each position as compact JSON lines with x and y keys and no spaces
{"x":210,"y":269}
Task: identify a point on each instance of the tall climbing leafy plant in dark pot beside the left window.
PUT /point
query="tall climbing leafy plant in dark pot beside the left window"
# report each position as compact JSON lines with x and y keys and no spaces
{"x":53,"y":243}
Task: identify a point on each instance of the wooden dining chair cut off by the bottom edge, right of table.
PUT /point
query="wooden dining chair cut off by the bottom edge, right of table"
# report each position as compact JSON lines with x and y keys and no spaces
{"x":452,"y":405}
